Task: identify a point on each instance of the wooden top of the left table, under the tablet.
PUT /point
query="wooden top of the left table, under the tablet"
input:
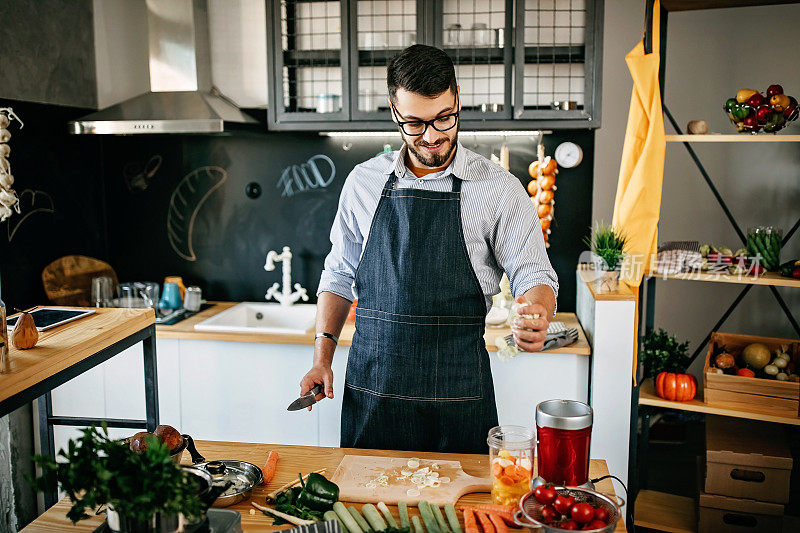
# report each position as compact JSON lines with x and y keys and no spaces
{"x":66,"y":345}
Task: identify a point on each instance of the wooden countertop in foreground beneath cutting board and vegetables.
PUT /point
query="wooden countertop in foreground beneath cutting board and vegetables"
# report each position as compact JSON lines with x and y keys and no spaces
{"x":294,"y":459}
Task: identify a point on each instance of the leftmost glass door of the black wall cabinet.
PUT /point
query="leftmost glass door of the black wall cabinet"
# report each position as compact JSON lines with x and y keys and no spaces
{"x":311,"y":64}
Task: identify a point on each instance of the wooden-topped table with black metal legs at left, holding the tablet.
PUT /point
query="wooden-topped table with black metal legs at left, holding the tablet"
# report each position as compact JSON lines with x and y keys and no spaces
{"x":67,"y":351}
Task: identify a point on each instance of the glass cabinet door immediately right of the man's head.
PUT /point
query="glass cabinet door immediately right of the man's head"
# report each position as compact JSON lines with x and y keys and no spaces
{"x":476,"y":34}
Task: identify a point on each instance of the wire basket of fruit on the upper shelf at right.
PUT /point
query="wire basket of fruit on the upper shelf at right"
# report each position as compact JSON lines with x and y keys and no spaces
{"x":751,"y":112}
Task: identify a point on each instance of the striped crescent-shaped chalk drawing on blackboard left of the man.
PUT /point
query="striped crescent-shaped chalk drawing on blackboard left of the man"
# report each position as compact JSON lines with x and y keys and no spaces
{"x":185,"y":203}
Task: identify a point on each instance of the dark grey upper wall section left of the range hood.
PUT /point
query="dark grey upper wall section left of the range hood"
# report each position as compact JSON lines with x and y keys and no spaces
{"x":47,"y":52}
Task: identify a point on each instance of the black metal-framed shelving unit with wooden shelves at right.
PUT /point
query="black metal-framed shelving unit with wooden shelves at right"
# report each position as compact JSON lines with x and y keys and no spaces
{"x":659,"y":508}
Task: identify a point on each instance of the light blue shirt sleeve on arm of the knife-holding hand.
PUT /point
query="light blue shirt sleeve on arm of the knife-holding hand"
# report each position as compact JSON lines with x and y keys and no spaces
{"x":338,"y":275}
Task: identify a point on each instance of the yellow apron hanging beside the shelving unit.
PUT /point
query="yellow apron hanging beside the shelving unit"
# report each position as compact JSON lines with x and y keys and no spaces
{"x":638,"y":201}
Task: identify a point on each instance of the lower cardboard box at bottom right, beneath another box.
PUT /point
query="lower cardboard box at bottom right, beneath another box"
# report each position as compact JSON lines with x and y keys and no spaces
{"x":720,"y":514}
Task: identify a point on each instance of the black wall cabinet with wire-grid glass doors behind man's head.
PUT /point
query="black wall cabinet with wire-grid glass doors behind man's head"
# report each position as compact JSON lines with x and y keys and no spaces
{"x":514,"y":59}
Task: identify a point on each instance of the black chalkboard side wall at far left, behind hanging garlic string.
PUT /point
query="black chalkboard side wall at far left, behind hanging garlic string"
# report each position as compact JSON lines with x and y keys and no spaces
{"x":59,"y":180}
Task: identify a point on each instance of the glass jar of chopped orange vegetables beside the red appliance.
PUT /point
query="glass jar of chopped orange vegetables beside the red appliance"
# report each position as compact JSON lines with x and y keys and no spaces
{"x":511,"y":459}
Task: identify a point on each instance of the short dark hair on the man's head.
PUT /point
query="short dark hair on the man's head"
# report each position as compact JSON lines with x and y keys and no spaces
{"x":421,"y":69}
